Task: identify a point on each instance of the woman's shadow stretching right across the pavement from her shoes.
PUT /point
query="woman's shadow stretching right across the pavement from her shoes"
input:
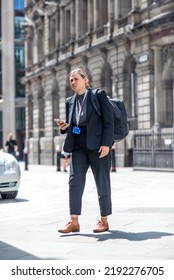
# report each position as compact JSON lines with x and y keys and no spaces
{"x":115,"y":234}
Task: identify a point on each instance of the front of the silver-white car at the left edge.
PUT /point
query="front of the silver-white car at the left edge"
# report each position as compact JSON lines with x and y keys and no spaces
{"x":10,"y":176}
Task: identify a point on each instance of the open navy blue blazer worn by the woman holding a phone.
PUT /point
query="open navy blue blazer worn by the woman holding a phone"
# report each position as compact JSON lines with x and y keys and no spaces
{"x":100,"y":130}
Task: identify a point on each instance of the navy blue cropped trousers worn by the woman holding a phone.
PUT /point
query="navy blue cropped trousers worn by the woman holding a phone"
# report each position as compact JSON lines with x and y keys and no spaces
{"x":81,"y":159}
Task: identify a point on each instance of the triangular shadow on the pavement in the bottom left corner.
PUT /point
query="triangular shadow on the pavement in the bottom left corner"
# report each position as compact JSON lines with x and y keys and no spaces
{"x":8,"y":252}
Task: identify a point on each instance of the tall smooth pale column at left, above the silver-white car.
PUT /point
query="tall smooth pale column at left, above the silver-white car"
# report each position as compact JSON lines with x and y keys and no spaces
{"x":8,"y":71}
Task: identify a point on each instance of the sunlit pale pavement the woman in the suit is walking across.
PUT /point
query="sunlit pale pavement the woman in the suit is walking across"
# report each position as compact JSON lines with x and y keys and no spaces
{"x":141,"y":226}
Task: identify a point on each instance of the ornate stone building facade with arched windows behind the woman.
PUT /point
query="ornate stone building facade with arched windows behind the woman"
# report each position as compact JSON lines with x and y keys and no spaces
{"x":127,"y":48}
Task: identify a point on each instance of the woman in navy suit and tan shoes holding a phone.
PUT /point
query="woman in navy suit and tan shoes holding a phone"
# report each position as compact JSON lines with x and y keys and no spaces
{"x":89,"y":140}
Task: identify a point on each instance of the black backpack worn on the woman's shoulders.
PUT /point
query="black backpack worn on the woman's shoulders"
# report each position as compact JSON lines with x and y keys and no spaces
{"x":121,"y":128}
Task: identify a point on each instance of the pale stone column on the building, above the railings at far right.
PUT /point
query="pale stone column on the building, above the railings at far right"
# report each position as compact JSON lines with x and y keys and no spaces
{"x":158,"y":93}
